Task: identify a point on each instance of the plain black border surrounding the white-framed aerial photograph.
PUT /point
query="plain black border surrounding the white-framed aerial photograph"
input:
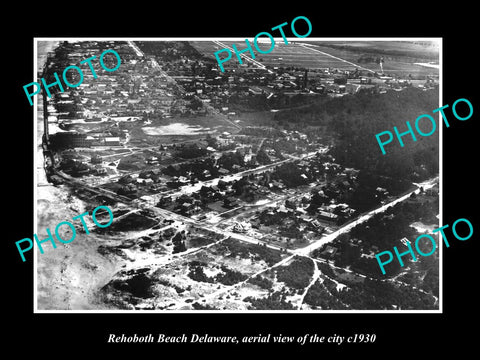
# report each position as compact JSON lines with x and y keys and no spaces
{"x":408,"y":333}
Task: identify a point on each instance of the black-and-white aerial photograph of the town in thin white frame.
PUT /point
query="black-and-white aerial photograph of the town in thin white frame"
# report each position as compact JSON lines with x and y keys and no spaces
{"x":258,"y":188}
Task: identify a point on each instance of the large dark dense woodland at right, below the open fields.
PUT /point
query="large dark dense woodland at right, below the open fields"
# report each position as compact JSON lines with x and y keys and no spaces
{"x":355,"y":119}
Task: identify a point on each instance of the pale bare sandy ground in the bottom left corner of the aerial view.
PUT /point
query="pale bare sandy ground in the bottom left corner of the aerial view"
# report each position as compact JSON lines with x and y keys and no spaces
{"x":69,"y":276}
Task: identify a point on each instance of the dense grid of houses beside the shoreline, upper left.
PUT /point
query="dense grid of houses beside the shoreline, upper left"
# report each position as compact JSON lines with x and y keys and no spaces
{"x":137,"y":88}
